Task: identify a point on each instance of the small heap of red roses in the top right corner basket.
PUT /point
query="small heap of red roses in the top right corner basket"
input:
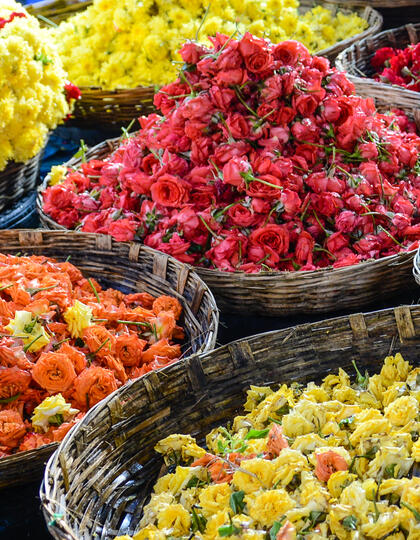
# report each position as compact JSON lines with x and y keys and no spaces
{"x":398,"y":66}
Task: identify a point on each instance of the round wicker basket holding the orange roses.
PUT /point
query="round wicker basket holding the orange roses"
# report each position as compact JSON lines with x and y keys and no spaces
{"x":123,"y":266}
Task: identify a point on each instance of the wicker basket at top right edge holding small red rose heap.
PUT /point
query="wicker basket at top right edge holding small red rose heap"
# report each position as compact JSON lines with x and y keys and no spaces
{"x":356,"y":61}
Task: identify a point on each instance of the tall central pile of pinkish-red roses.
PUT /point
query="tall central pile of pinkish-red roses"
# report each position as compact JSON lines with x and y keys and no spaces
{"x":262,"y":159}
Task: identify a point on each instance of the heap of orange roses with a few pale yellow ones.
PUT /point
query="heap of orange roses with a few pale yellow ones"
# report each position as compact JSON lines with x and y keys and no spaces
{"x":60,"y":333}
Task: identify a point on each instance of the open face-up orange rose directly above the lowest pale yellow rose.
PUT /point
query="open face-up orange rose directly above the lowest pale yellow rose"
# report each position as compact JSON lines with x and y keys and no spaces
{"x":54,"y":372}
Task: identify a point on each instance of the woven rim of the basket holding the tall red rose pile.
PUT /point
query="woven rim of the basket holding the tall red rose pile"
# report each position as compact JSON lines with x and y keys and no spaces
{"x":110,"y":143}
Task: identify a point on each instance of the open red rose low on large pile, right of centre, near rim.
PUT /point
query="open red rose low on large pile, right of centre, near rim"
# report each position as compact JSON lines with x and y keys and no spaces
{"x":269,"y":243}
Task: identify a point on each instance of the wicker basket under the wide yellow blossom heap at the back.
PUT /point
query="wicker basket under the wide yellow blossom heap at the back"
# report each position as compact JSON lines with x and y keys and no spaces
{"x":103,"y":107}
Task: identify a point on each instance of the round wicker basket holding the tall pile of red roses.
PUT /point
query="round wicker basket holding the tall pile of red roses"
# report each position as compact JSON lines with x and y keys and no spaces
{"x":281,"y":294}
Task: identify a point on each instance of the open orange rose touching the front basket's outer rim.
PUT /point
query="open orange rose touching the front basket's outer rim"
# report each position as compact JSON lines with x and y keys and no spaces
{"x":92,"y":385}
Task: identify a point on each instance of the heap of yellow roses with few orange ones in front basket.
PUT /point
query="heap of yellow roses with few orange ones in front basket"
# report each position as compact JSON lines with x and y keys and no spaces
{"x":324,"y":466}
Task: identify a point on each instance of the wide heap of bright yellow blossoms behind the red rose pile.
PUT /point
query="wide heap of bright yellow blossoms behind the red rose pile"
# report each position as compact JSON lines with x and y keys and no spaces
{"x":126,"y":43}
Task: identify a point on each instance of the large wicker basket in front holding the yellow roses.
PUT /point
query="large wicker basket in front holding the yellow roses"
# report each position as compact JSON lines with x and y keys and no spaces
{"x":97,"y":482}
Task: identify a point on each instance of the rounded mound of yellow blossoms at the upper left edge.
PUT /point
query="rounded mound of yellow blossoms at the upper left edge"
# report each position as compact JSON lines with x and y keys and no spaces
{"x":32,"y":79}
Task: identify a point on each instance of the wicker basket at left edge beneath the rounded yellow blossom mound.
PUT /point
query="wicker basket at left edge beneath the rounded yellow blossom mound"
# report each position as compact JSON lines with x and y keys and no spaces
{"x":17,"y":179}
